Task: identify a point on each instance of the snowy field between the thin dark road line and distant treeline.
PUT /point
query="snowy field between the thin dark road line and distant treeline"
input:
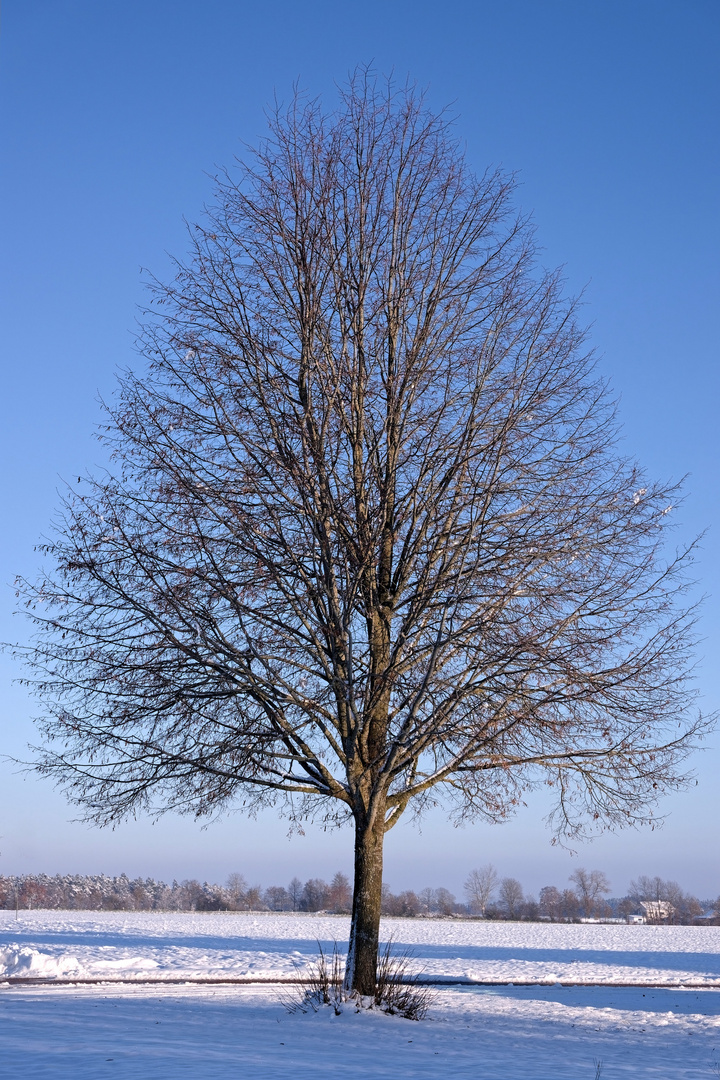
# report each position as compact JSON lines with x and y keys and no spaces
{"x":234,"y":946}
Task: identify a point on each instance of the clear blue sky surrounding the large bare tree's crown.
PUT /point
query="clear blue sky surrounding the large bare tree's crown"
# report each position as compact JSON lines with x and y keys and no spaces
{"x":112,"y":118}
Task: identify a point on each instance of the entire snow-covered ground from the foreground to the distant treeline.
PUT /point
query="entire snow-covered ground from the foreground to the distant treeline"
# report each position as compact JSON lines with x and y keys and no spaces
{"x":165,"y":1030}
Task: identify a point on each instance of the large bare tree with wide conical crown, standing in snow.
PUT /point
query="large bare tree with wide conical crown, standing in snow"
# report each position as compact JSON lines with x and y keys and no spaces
{"x":368,"y":543}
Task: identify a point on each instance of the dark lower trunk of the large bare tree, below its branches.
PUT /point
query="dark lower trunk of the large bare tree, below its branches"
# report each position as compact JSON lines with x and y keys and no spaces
{"x":361,"y":973}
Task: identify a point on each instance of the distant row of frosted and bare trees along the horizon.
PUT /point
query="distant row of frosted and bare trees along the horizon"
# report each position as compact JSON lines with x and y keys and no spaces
{"x":487,"y":896}
